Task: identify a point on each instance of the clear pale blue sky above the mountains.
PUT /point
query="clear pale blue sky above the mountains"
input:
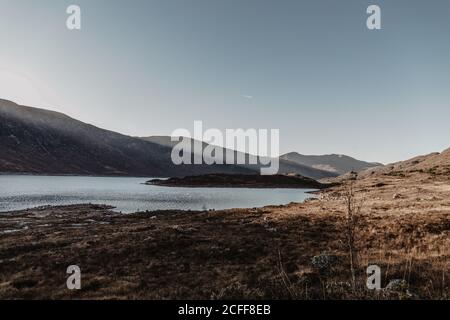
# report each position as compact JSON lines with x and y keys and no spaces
{"x":310,"y":68}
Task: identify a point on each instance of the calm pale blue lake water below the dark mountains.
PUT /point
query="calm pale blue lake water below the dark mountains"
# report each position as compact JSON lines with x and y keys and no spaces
{"x":130,"y":194}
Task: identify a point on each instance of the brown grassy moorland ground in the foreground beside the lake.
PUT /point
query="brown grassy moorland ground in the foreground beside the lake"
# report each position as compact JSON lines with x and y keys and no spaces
{"x":253,"y":253}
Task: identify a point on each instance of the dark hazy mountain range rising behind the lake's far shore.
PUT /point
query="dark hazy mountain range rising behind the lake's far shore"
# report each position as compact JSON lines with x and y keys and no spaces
{"x":38,"y":141}
